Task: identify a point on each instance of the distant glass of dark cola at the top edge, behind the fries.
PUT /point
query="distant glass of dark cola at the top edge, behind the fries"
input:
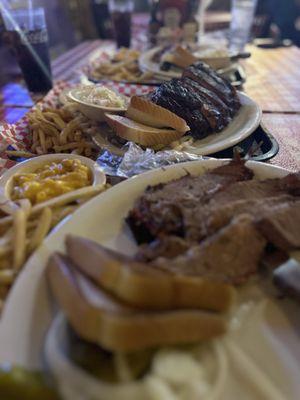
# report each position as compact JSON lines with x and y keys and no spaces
{"x":121,"y":11}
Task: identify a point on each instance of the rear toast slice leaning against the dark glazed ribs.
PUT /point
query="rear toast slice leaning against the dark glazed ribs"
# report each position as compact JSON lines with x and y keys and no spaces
{"x":145,"y":112}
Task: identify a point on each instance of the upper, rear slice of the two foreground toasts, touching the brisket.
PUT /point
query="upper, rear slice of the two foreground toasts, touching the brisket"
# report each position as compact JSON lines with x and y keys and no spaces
{"x":143,"y":286}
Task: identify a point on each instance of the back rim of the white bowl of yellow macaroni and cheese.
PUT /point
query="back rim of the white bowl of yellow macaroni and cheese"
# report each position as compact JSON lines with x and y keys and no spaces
{"x":31,"y":165}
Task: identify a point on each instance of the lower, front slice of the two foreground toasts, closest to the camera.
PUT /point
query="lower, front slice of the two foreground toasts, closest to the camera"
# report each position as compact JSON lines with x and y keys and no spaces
{"x":98,"y":317}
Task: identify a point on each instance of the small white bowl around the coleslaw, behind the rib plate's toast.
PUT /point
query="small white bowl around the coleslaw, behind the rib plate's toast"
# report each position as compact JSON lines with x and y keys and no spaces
{"x":95,"y":111}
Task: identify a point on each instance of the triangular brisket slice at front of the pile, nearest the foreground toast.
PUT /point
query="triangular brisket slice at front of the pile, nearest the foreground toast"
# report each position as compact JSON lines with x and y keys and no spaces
{"x":231,"y":255}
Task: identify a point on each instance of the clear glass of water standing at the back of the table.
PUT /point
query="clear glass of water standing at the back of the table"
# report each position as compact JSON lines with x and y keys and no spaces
{"x":242,"y":16}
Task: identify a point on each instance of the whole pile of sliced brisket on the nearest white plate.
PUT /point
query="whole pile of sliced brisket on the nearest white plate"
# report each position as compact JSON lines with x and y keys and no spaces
{"x":222,"y":225}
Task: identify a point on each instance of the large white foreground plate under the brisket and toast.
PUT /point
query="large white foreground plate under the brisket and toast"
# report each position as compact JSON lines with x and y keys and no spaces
{"x":265,"y":361}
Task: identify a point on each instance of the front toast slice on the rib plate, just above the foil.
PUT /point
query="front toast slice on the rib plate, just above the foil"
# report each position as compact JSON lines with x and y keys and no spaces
{"x":139,"y":133}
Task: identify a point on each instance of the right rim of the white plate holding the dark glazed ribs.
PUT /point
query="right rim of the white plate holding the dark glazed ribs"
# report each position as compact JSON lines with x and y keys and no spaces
{"x":242,"y":125}
